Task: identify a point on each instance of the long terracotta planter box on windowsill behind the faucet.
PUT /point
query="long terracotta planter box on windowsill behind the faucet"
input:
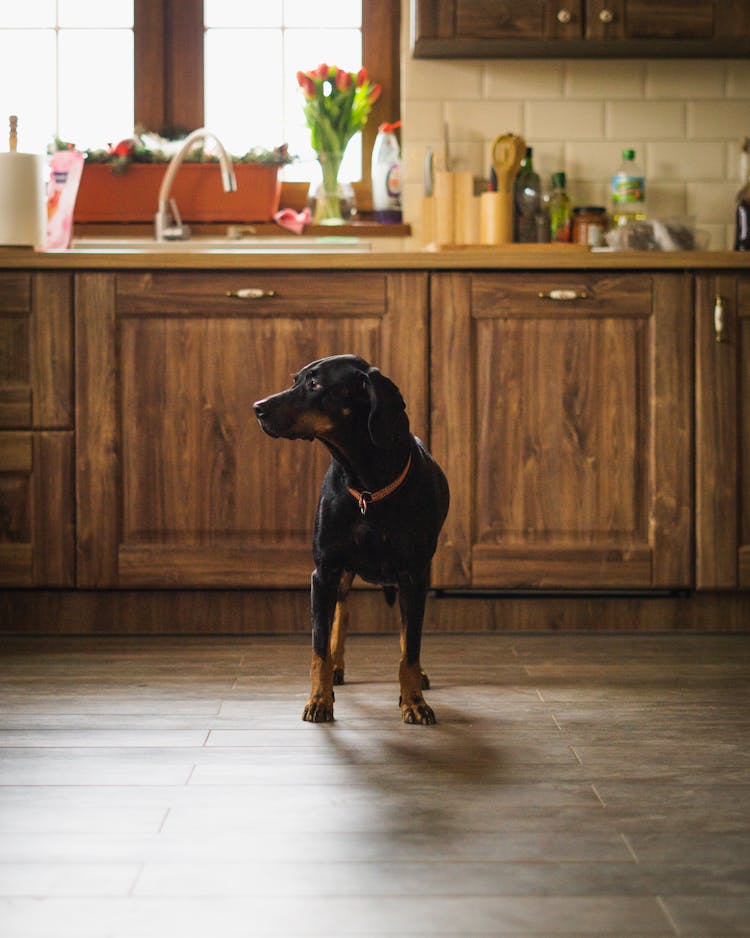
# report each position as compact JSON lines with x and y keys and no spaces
{"x":133,"y":195}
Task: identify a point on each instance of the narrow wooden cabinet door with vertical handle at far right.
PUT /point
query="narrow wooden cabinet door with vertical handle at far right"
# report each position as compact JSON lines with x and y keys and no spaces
{"x":722,"y":429}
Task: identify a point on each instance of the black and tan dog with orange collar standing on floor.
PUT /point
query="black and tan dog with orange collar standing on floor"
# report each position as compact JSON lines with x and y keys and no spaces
{"x":382,"y":504}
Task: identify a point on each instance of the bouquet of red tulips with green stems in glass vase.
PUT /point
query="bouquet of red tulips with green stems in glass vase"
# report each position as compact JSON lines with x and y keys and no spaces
{"x":336,"y":106}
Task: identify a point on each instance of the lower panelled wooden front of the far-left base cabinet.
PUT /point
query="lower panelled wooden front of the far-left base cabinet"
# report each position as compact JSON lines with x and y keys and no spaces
{"x":36,"y":509}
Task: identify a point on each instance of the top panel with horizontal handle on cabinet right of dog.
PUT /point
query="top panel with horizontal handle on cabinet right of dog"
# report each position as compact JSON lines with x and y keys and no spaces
{"x":545,"y":295}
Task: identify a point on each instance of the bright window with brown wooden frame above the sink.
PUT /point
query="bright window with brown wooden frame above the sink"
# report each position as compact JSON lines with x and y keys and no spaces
{"x":87,"y":70}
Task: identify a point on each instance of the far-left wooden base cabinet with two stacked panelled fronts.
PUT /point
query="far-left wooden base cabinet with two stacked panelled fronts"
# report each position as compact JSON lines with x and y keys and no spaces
{"x":36,"y":439}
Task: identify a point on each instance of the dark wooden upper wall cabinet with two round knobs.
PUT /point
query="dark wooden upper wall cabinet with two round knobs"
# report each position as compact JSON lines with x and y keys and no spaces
{"x":574,"y":28}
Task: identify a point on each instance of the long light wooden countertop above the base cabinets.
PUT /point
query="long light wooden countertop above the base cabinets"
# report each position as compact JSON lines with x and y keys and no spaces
{"x":508,"y":257}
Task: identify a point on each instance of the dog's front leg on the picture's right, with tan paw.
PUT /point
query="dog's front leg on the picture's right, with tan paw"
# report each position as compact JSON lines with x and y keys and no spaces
{"x":411,"y":596}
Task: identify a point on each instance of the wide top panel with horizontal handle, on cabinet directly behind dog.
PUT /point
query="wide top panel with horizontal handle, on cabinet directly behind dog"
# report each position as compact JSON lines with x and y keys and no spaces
{"x":278,"y":293}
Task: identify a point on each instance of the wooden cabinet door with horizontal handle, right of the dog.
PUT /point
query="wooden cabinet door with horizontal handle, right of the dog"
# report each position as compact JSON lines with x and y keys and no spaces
{"x":561,"y":413}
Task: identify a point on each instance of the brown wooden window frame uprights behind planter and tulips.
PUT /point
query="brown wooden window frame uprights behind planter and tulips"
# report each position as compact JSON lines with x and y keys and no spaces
{"x":169,"y":65}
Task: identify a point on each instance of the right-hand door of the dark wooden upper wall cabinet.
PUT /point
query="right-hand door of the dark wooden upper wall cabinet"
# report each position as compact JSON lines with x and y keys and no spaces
{"x":667,"y":20}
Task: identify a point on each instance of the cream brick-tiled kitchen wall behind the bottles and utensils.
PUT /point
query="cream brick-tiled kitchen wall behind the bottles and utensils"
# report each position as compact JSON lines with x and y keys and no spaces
{"x":684,"y":118}
